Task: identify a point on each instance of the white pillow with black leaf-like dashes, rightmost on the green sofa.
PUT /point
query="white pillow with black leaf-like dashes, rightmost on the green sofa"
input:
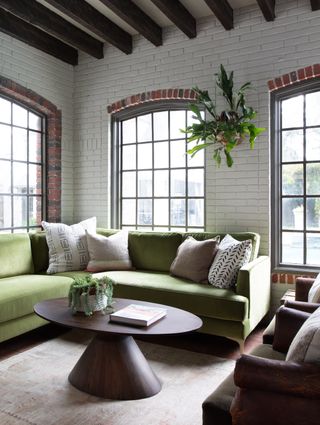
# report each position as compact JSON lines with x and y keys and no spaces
{"x":227,"y":263}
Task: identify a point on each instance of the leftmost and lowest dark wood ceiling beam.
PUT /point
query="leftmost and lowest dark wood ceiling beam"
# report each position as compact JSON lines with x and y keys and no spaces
{"x":21,"y":30}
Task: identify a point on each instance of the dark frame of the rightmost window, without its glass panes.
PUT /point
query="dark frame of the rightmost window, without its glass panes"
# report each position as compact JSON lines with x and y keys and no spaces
{"x":277,"y":96}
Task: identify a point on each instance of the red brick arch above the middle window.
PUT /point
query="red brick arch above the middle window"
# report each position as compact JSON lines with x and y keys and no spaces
{"x":151,"y":96}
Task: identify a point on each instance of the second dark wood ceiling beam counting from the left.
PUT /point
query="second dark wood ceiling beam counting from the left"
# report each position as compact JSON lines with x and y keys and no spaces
{"x":36,"y":14}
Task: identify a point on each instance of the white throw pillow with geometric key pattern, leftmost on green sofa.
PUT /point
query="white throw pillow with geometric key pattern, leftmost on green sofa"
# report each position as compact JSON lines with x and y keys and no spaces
{"x":67,"y":245}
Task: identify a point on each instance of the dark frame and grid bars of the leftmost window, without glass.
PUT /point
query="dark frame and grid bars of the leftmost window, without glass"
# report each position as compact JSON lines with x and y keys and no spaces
{"x":43,"y":164}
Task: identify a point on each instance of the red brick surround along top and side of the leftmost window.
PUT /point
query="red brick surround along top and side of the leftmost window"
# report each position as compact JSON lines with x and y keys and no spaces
{"x":31,"y":99}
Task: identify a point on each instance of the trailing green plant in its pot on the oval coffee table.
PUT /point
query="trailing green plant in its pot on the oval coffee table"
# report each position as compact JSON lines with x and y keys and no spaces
{"x":89,"y":294}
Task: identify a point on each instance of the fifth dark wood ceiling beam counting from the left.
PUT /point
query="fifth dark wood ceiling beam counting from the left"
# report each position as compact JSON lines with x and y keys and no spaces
{"x":179,"y":15}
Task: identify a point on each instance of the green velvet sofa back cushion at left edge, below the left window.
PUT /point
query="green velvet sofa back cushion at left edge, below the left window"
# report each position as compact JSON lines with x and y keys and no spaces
{"x":15,"y":254}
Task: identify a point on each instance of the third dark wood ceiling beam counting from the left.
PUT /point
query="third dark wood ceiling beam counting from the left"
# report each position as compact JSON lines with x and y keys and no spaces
{"x":86,"y":15}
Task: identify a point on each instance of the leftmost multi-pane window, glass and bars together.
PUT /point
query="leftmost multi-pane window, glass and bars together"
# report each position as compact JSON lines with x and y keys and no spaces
{"x":22,"y":165}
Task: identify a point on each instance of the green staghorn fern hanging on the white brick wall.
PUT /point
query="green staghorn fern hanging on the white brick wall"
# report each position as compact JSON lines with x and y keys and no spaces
{"x":227,"y":129}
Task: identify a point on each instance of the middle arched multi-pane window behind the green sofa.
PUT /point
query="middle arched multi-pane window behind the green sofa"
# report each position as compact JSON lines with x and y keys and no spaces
{"x":156,"y":185}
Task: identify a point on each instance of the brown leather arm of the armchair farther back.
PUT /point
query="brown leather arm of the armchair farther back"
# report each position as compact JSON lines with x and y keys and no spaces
{"x":288,"y":322}
